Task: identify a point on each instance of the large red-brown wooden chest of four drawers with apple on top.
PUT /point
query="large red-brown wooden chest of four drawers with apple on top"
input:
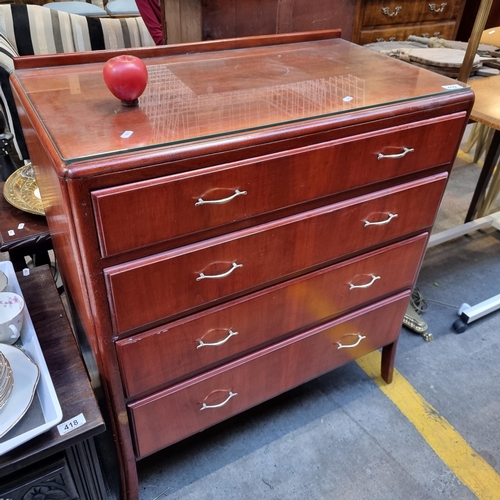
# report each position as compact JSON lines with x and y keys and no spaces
{"x":268,"y":201}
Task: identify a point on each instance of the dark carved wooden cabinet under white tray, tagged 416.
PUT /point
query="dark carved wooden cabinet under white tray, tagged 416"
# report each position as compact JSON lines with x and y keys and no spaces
{"x":64,"y":466}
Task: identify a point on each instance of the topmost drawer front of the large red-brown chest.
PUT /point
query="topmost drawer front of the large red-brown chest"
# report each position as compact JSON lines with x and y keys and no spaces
{"x":162,"y":209}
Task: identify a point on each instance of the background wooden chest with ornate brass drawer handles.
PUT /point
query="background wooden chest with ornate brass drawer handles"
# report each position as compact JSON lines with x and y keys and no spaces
{"x":387,"y":20}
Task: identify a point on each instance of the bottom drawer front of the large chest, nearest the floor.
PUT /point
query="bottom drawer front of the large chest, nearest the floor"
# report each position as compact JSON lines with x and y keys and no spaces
{"x":190,"y":407}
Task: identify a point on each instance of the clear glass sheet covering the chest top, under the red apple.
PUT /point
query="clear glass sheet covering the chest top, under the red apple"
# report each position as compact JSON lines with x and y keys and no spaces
{"x":200,"y":96}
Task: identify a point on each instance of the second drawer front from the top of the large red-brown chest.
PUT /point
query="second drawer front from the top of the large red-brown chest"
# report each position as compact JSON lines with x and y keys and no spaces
{"x":156,"y":288}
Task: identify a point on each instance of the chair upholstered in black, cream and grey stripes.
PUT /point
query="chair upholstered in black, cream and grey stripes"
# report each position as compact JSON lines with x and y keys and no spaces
{"x":32,"y":29}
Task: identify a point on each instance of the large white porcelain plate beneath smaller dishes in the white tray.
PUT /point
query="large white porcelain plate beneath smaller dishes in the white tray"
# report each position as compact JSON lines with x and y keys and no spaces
{"x":26,"y":375}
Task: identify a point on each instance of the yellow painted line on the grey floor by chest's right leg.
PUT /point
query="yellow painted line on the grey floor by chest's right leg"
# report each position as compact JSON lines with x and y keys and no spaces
{"x":467,"y":465}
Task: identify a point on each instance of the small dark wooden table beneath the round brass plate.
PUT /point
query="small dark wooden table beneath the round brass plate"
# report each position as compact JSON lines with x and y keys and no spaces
{"x":32,"y":239}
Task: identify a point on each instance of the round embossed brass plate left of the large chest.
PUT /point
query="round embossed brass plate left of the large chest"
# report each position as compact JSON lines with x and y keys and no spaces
{"x":21,"y":191}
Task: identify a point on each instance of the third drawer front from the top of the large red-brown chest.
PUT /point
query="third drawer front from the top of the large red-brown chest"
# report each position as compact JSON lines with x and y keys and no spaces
{"x":179,"y":350}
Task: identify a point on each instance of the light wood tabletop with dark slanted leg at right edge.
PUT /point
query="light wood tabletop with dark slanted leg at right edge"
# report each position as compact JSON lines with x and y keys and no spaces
{"x":486,"y":110}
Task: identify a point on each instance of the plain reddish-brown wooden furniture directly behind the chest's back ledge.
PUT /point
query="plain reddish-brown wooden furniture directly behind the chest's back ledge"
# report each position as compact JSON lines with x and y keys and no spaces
{"x":192,"y":20}
